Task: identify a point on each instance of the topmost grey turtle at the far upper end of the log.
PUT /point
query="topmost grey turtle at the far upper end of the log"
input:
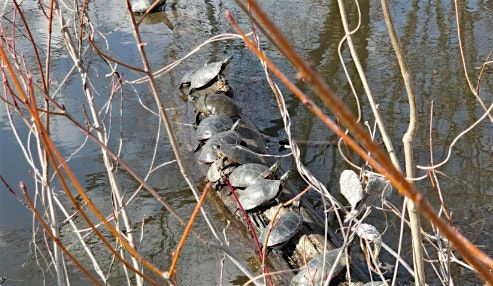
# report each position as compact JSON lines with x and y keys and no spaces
{"x":204,"y":75}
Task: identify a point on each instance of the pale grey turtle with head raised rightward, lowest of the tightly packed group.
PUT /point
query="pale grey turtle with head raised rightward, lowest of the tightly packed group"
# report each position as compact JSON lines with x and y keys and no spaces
{"x":260,"y":192}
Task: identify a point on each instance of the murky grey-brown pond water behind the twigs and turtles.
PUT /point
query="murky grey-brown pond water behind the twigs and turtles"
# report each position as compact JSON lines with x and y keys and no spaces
{"x":428,"y":35}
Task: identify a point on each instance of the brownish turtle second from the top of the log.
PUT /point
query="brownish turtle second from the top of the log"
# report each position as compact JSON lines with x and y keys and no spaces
{"x":216,"y":103}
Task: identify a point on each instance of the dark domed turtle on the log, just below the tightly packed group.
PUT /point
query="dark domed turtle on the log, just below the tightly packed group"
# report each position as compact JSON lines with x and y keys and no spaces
{"x":286,"y":227}
